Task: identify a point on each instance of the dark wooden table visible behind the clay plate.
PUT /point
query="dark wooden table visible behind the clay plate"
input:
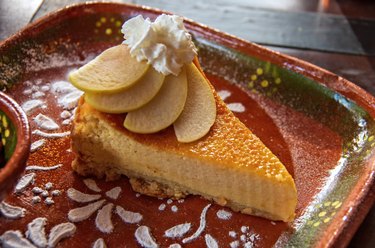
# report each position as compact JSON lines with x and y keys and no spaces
{"x":336,"y":35}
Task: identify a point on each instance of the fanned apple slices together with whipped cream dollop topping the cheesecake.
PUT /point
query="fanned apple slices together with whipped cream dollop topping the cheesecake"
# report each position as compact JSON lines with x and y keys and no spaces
{"x":152,"y":78}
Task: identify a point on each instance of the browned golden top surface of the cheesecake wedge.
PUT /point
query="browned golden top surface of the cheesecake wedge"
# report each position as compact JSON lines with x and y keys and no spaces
{"x":229,"y":143}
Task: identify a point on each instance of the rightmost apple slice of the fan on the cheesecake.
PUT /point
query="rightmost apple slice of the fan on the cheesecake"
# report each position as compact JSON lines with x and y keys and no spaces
{"x":199,"y":113}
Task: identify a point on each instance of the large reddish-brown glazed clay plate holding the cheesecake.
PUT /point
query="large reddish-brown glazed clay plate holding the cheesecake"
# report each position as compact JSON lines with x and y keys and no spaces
{"x":320,"y":125}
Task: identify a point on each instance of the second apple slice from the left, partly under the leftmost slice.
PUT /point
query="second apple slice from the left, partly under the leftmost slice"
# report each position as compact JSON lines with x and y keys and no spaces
{"x":130,"y":99}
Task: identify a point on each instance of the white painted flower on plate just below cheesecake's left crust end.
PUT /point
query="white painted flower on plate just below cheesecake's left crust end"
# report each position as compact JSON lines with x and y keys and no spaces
{"x":95,"y":202}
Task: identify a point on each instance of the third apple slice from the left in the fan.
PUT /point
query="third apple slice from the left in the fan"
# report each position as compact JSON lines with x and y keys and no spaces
{"x":163,"y":109}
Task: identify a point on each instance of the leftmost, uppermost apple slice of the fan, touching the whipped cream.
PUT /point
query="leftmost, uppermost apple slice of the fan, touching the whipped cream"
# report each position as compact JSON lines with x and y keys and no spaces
{"x":112,"y":71}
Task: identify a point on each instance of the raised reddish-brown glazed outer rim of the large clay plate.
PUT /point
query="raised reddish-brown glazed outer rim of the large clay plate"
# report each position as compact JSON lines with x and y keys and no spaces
{"x":341,"y":233}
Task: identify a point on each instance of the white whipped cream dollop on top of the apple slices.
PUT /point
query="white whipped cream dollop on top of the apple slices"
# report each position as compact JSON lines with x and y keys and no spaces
{"x":164,"y":43}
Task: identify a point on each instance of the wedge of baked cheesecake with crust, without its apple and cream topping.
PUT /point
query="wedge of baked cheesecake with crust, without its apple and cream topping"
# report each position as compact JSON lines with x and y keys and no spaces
{"x":229,"y":165}
